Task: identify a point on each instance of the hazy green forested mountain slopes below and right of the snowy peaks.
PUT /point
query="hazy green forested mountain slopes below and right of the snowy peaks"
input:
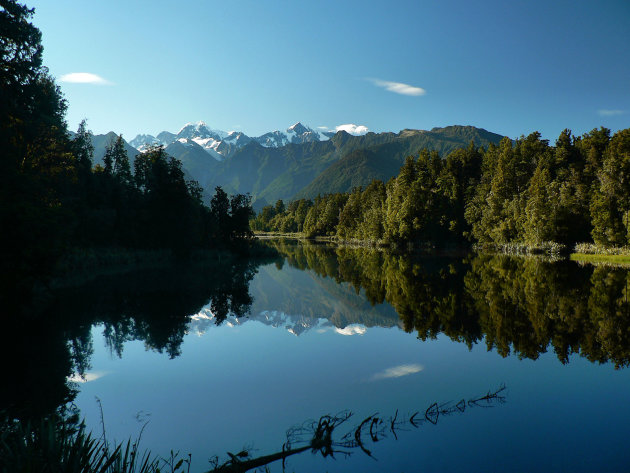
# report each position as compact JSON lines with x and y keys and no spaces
{"x":336,"y":165}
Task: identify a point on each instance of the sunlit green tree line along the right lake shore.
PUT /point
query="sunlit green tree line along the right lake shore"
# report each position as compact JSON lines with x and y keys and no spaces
{"x":525,"y":192}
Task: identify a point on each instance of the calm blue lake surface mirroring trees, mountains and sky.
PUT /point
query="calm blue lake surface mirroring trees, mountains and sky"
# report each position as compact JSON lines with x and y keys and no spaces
{"x":476,"y":363}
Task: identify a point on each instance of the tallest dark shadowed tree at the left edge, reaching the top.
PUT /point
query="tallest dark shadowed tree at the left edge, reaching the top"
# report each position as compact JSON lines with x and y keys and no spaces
{"x":37,"y":170}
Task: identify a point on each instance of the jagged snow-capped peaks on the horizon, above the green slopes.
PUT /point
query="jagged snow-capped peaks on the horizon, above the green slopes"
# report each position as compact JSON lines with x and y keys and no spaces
{"x":220,"y":144}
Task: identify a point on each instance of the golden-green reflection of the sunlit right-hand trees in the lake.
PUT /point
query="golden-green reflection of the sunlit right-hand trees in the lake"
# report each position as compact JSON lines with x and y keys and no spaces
{"x":514,"y":305}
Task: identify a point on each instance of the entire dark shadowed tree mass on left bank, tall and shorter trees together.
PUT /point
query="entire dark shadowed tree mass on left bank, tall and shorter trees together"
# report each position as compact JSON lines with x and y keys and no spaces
{"x":52,"y":197}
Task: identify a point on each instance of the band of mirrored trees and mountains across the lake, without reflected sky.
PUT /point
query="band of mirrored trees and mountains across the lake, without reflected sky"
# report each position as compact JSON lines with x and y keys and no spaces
{"x":524,"y":306}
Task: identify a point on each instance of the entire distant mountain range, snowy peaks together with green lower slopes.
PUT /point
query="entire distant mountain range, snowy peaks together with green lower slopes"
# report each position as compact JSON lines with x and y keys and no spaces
{"x":297,"y":162}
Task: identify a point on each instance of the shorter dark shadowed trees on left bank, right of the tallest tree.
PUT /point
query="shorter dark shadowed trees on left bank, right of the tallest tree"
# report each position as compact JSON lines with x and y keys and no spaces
{"x":154,"y":206}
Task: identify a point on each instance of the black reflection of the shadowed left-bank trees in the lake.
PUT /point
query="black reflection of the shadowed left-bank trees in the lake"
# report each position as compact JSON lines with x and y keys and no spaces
{"x":39,"y":354}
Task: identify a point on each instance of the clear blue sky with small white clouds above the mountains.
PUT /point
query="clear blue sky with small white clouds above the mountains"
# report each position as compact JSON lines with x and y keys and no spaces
{"x":511,"y":67}
